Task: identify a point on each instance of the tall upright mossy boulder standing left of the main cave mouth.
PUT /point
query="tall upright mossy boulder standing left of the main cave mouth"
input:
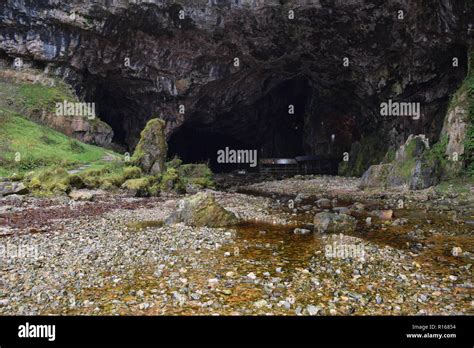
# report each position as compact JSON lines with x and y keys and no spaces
{"x":150,"y":153}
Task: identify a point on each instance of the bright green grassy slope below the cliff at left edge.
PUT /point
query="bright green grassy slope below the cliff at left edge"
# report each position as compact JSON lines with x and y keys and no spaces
{"x":39,"y":146}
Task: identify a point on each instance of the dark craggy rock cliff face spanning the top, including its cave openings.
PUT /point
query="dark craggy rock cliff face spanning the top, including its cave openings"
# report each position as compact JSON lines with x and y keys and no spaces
{"x":230,"y":73}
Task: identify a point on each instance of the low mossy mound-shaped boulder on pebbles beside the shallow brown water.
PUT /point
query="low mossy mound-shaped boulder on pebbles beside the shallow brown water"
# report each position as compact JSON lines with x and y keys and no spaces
{"x":202,"y":210}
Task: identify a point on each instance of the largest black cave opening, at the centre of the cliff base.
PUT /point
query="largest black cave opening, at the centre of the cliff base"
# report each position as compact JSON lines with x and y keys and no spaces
{"x":272,"y":126}
